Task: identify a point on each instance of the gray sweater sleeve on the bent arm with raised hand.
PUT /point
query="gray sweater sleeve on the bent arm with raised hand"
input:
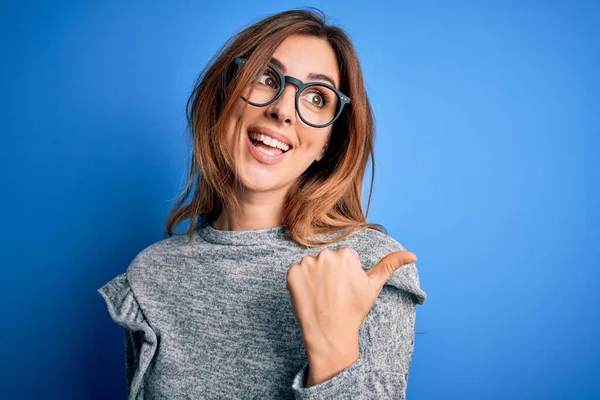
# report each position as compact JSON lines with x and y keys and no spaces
{"x":386,"y":342}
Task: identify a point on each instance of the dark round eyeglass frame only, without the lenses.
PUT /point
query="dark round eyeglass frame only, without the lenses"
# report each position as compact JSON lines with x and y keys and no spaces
{"x":285,"y":79}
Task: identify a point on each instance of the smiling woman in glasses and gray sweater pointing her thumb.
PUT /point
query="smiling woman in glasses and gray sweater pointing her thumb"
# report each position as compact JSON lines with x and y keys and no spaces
{"x":282,"y":289}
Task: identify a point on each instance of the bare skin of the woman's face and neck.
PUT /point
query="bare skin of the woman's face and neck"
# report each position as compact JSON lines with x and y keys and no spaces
{"x":265,"y":186}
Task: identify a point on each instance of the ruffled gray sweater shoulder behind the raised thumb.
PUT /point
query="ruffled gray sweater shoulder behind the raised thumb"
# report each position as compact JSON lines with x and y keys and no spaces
{"x":372,"y":245}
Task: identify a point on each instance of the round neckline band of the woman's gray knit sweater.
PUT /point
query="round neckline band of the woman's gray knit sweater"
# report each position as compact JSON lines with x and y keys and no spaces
{"x":248,"y":237}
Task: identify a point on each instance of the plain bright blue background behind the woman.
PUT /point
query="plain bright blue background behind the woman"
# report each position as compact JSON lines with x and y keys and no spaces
{"x":486,"y":168}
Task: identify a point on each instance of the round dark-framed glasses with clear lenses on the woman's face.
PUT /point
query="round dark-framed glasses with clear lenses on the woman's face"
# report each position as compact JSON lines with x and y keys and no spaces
{"x":318,"y":104}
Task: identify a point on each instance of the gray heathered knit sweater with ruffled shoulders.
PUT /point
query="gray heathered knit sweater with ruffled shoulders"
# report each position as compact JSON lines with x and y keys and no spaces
{"x":212,"y":319}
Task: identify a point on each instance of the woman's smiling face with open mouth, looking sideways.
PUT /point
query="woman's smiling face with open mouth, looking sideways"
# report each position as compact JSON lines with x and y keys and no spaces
{"x":299,"y":56}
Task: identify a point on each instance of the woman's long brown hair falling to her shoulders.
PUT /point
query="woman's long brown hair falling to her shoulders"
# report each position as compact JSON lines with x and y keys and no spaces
{"x":326,"y":198}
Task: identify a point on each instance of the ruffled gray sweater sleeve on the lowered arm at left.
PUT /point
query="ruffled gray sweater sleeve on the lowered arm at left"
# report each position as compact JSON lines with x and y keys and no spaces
{"x":140,"y":340}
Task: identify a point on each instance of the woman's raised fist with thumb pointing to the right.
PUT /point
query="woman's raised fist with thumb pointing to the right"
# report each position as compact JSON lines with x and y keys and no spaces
{"x":331,"y":296}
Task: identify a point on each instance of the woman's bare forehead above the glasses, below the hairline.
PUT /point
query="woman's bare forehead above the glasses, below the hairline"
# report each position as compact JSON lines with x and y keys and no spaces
{"x":304,"y":55}
